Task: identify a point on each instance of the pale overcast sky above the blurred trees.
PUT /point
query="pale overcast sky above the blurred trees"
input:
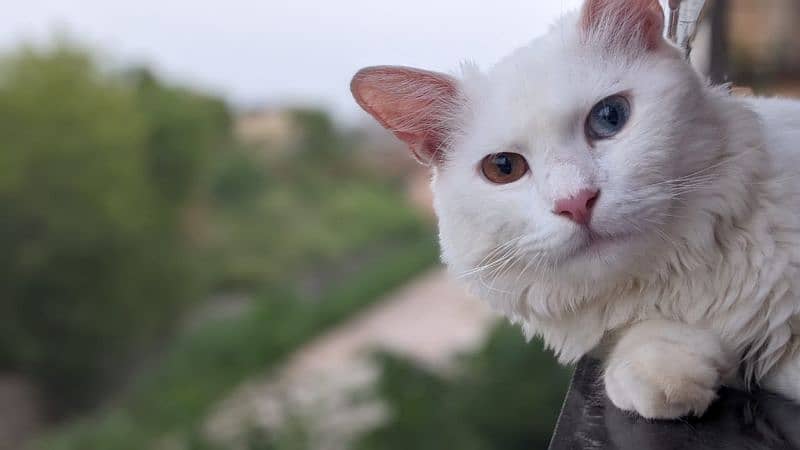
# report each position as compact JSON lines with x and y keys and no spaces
{"x":270,"y":52}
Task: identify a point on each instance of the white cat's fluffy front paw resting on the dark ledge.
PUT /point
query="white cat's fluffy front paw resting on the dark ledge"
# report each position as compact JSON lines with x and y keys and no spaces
{"x":665,"y":370}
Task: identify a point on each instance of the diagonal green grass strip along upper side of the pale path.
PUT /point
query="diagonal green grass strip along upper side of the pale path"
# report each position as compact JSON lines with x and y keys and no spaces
{"x":204,"y":365}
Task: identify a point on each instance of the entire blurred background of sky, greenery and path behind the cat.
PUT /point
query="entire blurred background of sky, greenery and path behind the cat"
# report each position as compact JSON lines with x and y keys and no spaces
{"x":206,"y":245}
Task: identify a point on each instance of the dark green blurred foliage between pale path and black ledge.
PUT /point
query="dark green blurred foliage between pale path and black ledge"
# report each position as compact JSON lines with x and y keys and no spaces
{"x":506,"y":396}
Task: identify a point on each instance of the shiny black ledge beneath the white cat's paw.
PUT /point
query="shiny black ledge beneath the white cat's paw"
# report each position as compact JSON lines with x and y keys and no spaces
{"x":736,"y":421}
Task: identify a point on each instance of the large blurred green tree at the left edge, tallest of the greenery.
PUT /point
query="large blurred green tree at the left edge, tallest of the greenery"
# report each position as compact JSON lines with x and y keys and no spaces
{"x":95,"y":171}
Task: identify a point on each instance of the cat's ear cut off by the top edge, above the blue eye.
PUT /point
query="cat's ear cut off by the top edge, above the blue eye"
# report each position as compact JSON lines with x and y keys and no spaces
{"x":624,"y":23}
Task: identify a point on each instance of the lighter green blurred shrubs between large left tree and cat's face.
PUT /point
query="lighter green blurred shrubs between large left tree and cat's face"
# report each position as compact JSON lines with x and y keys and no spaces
{"x":313,"y":210}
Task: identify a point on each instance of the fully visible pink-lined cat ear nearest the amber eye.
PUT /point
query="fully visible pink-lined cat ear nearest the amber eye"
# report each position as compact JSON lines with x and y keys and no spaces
{"x":416,"y":105}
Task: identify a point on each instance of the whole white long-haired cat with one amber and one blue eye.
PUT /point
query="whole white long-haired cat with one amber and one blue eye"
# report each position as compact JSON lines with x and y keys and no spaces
{"x":597,"y":191}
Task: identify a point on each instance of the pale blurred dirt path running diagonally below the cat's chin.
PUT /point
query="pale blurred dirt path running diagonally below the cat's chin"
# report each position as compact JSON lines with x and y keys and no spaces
{"x":430,"y":320}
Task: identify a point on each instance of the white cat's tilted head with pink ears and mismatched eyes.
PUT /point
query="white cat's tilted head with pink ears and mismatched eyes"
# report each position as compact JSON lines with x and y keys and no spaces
{"x":569,"y":162}
